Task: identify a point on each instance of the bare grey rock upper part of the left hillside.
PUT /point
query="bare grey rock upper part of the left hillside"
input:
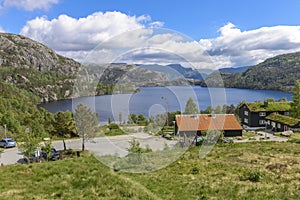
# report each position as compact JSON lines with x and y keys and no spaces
{"x":20,"y":51}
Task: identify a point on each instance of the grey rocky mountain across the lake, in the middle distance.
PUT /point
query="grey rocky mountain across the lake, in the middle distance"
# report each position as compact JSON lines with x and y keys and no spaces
{"x":137,"y":75}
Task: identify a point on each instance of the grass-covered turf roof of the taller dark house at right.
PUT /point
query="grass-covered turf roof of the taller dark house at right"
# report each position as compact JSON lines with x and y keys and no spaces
{"x":272,"y":106}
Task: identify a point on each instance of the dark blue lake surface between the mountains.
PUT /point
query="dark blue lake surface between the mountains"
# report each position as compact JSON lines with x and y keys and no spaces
{"x":158,"y":100}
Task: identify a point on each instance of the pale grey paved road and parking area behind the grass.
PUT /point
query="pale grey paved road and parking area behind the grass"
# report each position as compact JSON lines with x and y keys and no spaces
{"x":99,"y":146}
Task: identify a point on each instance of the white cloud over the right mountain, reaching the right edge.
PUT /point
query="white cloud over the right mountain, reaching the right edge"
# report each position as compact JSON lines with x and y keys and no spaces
{"x":241,"y":48}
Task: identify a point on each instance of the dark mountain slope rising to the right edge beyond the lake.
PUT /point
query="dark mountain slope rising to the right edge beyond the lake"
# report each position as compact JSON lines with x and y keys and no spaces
{"x":277,"y":73}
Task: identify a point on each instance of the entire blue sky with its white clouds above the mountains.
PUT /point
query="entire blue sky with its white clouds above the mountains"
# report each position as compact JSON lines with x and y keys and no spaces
{"x":204,"y":34}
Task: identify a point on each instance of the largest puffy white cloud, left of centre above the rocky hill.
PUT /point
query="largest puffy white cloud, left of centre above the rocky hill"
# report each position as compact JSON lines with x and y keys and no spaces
{"x":114,"y":33}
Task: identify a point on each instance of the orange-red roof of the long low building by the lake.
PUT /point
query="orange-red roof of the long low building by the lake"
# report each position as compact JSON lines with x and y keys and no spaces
{"x":207,"y":122}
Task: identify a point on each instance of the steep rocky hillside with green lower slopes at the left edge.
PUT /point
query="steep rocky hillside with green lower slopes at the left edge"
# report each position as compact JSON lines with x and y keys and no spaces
{"x":36,"y":68}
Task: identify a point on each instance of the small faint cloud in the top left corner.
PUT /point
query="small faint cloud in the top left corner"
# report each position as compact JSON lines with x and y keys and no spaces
{"x":28,"y":5}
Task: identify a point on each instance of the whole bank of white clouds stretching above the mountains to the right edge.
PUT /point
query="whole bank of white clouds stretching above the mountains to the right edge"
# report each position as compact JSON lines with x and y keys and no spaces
{"x":113,"y":36}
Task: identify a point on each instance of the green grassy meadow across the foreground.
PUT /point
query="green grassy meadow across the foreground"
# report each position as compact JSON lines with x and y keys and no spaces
{"x":265,"y":170}
